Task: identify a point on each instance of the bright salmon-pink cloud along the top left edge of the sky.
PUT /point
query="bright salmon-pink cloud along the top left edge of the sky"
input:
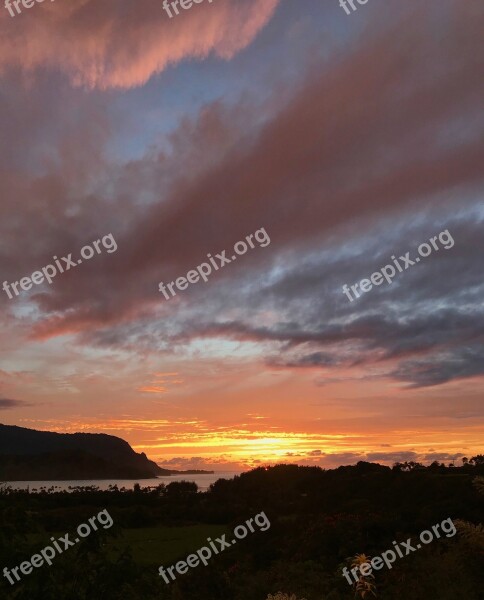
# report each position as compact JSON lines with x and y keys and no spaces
{"x":122,"y":43}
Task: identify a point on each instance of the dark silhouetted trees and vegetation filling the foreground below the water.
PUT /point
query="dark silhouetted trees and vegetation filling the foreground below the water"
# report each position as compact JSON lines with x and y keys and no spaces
{"x":318,"y":519}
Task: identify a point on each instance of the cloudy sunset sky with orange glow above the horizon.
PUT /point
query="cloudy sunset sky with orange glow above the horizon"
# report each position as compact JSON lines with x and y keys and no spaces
{"x":337,"y":140}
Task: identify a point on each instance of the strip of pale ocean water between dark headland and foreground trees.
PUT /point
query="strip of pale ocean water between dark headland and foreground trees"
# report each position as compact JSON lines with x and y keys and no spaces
{"x":203,"y":481}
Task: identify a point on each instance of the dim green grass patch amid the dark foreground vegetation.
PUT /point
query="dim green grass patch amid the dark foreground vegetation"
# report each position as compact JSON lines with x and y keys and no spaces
{"x":161,"y":545}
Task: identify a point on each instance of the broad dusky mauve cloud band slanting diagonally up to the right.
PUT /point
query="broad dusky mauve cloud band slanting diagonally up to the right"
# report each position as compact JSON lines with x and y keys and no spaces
{"x":213,"y":209}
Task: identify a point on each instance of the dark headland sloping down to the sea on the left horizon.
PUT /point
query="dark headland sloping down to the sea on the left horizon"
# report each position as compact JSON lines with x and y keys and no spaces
{"x":27,"y":454}
